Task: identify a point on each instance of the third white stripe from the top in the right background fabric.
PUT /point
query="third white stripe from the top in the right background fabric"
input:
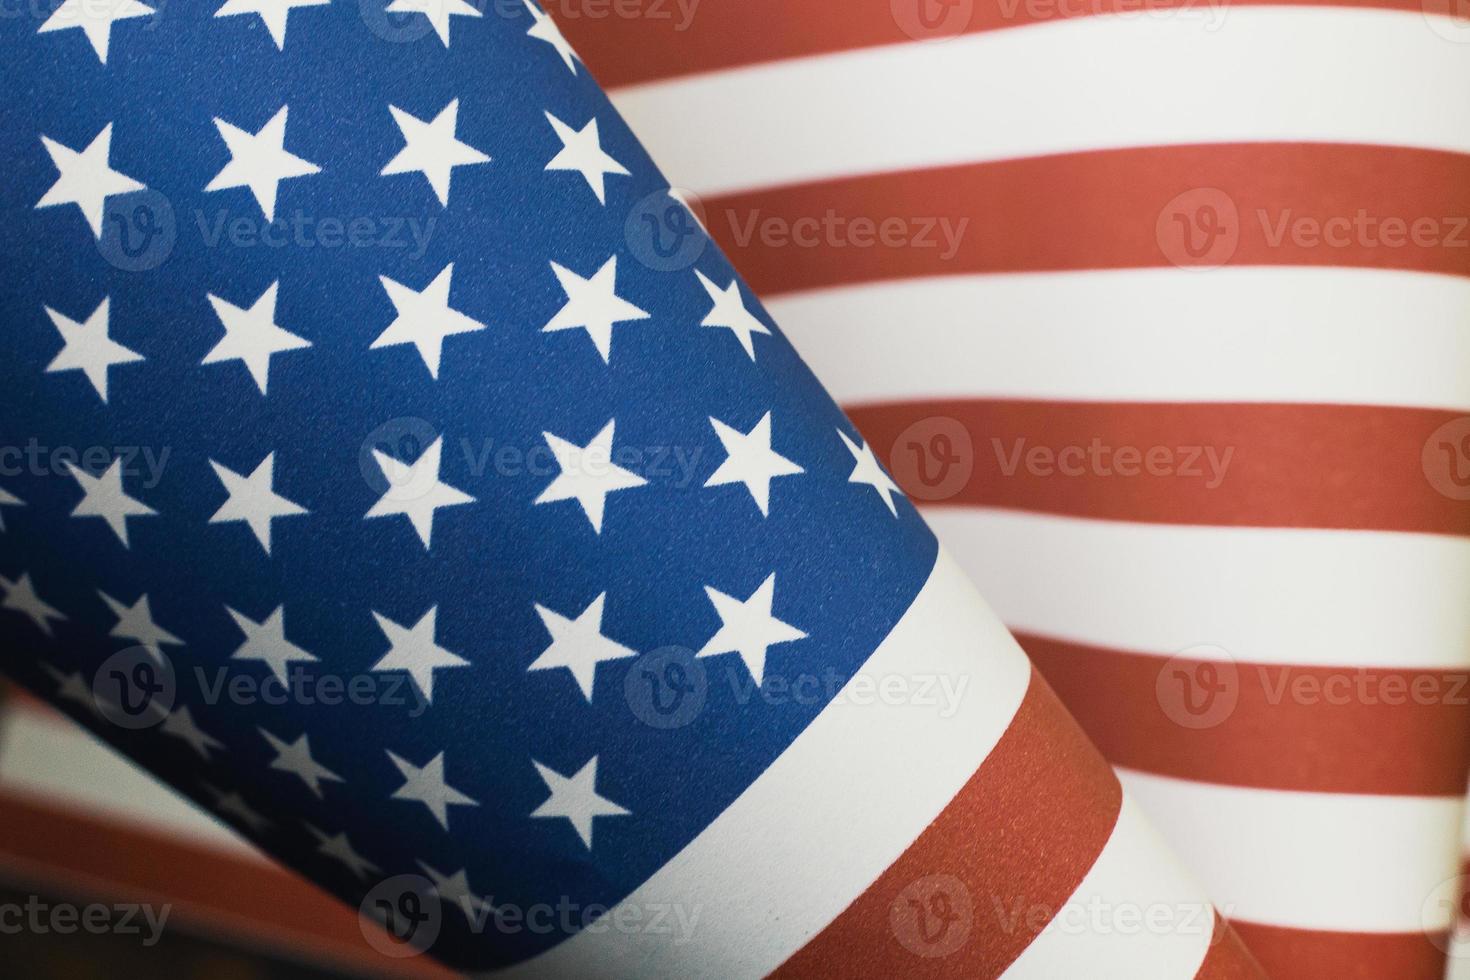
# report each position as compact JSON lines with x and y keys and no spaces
{"x":1352,"y":599}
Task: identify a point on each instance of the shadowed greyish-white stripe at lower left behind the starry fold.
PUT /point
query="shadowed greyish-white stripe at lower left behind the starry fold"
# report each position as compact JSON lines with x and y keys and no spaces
{"x":55,"y":762}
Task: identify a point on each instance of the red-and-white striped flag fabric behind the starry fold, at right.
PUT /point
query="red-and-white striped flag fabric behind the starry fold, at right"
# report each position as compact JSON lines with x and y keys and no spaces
{"x":1162,"y":315}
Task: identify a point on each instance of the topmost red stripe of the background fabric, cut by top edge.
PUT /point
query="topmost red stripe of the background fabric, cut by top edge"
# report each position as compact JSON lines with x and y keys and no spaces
{"x":628,"y":42}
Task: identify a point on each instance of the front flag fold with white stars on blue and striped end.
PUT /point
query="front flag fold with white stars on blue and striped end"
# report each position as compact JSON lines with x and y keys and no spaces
{"x":392,"y":489}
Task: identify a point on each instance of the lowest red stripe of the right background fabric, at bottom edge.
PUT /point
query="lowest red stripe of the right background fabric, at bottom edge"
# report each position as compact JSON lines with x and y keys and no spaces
{"x":1299,"y":954}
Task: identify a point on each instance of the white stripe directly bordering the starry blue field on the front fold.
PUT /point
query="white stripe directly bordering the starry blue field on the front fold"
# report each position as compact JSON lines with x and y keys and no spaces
{"x":833,"y":813}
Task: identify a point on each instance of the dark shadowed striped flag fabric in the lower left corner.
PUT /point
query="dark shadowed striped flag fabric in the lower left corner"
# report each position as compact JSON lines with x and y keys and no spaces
{"x":83,"y":824}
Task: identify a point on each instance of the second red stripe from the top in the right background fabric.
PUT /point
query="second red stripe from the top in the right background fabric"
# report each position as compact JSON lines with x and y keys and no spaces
{"x":1109,"y":209}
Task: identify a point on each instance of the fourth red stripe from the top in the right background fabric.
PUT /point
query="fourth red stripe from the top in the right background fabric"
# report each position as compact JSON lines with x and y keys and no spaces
{"x":1312,"y":729}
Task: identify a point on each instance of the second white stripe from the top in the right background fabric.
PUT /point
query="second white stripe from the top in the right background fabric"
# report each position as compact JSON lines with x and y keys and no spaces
{"x":1253,"y":334}
